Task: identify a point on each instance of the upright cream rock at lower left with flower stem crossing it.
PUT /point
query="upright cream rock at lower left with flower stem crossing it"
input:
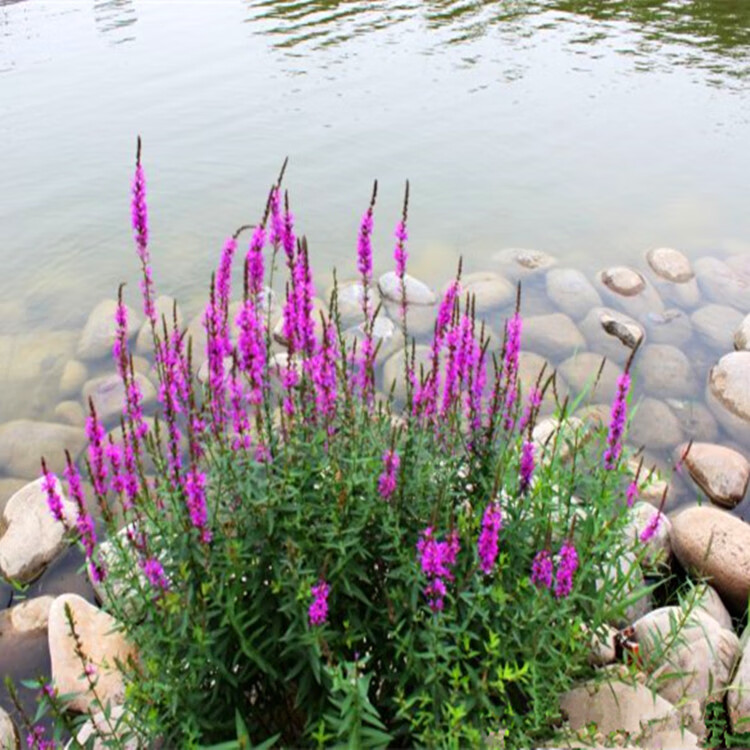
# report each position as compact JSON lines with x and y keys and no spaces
{"x":103,"y":645}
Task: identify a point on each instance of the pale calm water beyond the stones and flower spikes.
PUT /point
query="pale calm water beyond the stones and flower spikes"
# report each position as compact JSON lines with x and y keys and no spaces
{"x":591,"y":130}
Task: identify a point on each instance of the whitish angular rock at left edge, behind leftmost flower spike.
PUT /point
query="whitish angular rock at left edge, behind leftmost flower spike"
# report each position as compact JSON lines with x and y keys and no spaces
{"x":31,"y":536}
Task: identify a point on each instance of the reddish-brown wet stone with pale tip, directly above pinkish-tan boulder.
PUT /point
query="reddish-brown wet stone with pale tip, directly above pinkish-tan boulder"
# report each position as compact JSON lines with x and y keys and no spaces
{"x":722,"y":473}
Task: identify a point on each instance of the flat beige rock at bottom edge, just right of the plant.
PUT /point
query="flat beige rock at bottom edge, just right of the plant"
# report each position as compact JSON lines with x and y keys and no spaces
{"x":633,"y":710}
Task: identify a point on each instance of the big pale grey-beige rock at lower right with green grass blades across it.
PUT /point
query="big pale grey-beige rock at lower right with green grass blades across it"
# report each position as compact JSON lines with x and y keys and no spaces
{"x":691,"y":670}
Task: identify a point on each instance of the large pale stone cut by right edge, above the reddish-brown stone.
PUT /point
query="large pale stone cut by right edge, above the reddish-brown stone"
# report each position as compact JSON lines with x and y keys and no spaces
{"x":728,"y":394}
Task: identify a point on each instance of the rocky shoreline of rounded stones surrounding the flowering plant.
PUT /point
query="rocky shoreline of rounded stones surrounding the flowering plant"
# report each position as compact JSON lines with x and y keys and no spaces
{"x":691,"y":325}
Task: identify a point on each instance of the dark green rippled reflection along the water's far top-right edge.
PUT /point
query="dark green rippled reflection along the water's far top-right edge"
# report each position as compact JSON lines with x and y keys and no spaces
{"x":712,"y":35}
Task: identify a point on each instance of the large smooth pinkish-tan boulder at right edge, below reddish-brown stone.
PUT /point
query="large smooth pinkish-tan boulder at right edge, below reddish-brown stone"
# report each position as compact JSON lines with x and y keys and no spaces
{"x":716,"y":545}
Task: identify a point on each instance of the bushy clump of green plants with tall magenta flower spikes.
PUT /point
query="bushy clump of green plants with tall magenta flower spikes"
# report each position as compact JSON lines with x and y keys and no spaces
{"x":302,"y":559}
